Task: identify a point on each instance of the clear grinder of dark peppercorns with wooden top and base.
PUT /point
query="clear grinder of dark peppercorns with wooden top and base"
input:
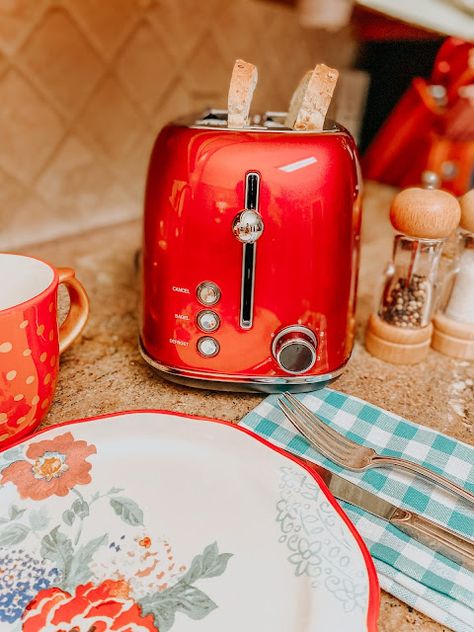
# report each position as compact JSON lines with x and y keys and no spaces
{"x":400,"y":332}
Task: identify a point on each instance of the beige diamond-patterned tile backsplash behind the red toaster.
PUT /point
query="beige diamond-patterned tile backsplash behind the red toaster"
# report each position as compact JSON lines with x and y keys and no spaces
{"x":85,"y":85}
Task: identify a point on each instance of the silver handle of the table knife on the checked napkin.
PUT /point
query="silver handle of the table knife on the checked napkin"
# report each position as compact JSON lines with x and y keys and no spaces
{"x":434,"y":536}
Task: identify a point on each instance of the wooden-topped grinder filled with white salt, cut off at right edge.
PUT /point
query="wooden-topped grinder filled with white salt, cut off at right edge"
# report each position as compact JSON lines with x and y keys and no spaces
{"x":453,"y":332}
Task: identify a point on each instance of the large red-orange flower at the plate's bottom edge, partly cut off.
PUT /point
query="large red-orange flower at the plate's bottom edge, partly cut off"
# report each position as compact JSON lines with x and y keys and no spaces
{"x":102,"y":608}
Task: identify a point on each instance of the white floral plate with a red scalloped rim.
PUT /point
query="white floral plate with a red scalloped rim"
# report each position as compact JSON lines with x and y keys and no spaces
{"x":147,"y":521}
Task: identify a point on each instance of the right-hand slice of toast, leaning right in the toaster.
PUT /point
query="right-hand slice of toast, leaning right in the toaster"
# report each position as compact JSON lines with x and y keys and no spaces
{"x":311,"y":99}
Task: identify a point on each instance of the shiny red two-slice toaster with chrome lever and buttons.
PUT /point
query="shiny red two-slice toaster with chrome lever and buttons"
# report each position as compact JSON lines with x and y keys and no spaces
{"x":250,"y":254}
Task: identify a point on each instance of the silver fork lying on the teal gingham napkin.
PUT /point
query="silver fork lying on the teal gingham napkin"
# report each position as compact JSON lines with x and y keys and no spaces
{"x":349,"y":454}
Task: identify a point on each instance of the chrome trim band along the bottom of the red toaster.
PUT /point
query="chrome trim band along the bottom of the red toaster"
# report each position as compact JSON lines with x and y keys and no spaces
{"x":242,"y":383}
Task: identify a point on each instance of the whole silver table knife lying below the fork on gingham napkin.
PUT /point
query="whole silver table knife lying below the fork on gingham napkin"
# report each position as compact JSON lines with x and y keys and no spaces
{"x":434,"y":536}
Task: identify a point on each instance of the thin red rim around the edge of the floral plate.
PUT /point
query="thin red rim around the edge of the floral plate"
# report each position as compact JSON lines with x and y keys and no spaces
{"x":374,"y":588}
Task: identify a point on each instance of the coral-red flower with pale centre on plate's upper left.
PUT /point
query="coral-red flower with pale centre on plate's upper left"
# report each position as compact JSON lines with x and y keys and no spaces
{"x":53,"y":468}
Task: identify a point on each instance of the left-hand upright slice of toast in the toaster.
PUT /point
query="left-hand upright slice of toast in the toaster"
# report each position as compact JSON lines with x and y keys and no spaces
{"x":241,"y":89}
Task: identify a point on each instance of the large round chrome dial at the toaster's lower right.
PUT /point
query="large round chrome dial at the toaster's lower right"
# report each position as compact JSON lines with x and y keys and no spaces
{"x":294,"y":348}
